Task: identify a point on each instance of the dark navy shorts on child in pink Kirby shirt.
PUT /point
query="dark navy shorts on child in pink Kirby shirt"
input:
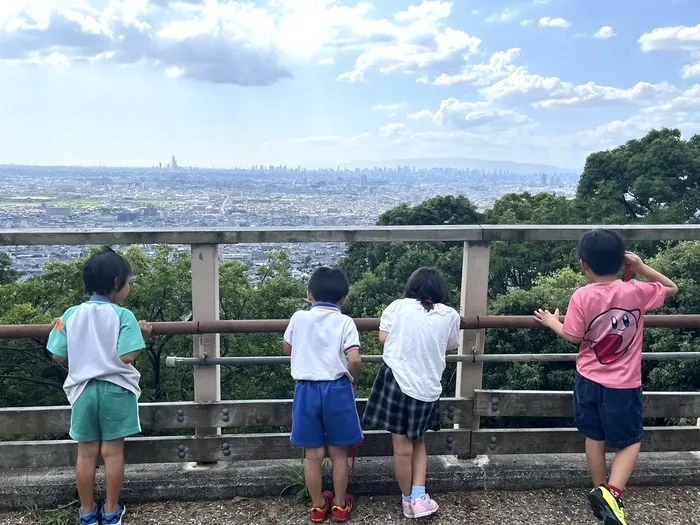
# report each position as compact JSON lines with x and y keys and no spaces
{"x":613,"y":415}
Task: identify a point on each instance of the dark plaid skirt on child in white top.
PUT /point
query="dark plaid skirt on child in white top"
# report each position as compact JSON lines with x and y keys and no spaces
{"x":388,"y":408}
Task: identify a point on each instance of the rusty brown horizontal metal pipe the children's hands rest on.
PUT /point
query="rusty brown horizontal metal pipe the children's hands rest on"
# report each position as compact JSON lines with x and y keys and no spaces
{"x":363,"y":325}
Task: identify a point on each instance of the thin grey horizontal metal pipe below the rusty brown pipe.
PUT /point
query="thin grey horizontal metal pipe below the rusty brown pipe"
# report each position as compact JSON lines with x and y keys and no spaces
{"x":464,"y":358}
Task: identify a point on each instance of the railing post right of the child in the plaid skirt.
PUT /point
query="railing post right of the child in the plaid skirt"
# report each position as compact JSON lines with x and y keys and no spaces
{"x":473,"y":302}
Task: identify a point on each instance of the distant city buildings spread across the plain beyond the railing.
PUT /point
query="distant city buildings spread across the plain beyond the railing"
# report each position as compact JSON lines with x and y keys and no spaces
{"x":263,"y":196}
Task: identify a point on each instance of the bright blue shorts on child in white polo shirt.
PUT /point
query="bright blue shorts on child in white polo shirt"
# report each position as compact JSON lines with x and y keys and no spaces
{"x":325,"y":413}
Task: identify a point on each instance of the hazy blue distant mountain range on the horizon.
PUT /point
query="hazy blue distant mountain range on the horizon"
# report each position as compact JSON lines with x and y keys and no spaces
{"x":457,"y":162}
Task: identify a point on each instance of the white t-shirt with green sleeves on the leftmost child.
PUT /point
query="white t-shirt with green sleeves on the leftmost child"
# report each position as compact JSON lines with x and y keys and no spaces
{"x":93,"y":337}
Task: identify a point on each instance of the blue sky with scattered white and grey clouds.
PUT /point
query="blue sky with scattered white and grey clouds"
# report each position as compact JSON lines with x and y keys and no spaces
{"x":226,"y":83}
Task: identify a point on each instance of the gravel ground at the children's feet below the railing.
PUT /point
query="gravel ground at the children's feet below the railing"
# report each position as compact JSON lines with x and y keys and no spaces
{"x":646,"y":506}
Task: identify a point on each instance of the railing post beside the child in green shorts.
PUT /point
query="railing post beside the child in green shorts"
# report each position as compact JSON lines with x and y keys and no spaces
{"x":205,"y":307}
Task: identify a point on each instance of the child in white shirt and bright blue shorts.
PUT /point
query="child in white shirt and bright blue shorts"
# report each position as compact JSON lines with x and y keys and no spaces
{"x":325,"y":349}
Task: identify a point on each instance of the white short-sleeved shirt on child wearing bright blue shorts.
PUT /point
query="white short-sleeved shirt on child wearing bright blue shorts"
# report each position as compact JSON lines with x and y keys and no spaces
{"x":320,"y":338}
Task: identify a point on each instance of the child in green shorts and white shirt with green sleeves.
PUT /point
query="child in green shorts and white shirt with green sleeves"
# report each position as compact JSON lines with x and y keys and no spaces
{"x":100,"y":341}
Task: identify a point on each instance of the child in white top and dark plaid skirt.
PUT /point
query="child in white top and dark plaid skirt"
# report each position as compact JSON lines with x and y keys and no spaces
{"x":416,"y":331}
